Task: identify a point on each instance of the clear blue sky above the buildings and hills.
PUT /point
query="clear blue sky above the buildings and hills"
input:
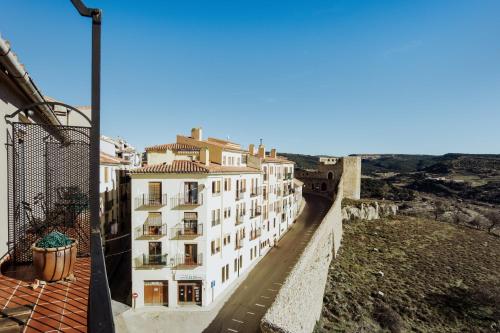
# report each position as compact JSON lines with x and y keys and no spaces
{"x":318,"y":77}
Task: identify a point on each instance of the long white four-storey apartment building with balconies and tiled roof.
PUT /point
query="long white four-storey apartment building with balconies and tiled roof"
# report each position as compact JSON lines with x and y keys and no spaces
{"x":203,"y":211}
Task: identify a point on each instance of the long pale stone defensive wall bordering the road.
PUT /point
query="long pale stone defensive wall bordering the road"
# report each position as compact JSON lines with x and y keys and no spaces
{"x":298,"y":305}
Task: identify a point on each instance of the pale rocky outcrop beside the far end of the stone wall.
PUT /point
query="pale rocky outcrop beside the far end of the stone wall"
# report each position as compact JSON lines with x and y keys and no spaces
{"x":368,"y":211}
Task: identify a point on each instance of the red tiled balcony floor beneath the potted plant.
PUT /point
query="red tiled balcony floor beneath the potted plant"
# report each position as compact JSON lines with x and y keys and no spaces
{"x":57,"y":307}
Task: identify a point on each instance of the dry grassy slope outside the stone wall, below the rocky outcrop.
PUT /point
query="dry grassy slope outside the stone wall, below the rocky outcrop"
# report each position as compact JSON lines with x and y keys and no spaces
{"x":436,"y":277}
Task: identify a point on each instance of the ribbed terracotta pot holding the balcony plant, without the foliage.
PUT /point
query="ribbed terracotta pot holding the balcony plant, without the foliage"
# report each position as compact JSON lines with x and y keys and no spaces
{"x":54,"y":264}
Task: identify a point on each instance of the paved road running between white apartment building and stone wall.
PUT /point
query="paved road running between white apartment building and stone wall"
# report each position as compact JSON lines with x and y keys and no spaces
{"x":250,"y":301}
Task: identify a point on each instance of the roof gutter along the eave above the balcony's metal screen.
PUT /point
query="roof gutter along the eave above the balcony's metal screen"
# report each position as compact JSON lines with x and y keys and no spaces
{"x":9,"y":60}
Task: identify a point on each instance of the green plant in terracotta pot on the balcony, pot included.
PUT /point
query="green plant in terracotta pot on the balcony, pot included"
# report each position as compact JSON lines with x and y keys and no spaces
{"x":54,"y":257}
